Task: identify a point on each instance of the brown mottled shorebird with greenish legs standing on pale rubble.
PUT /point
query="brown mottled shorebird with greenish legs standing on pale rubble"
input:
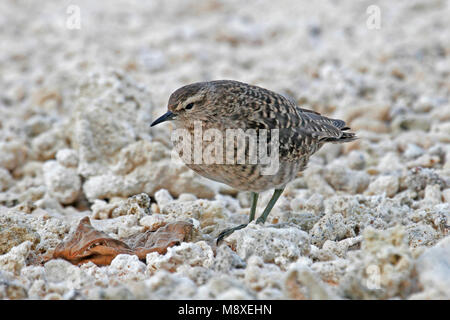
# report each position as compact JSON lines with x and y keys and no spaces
{"x":221,"y":106}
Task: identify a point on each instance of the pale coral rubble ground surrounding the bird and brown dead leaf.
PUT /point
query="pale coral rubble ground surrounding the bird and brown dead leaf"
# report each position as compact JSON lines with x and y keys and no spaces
{"x":366,"y":220}
